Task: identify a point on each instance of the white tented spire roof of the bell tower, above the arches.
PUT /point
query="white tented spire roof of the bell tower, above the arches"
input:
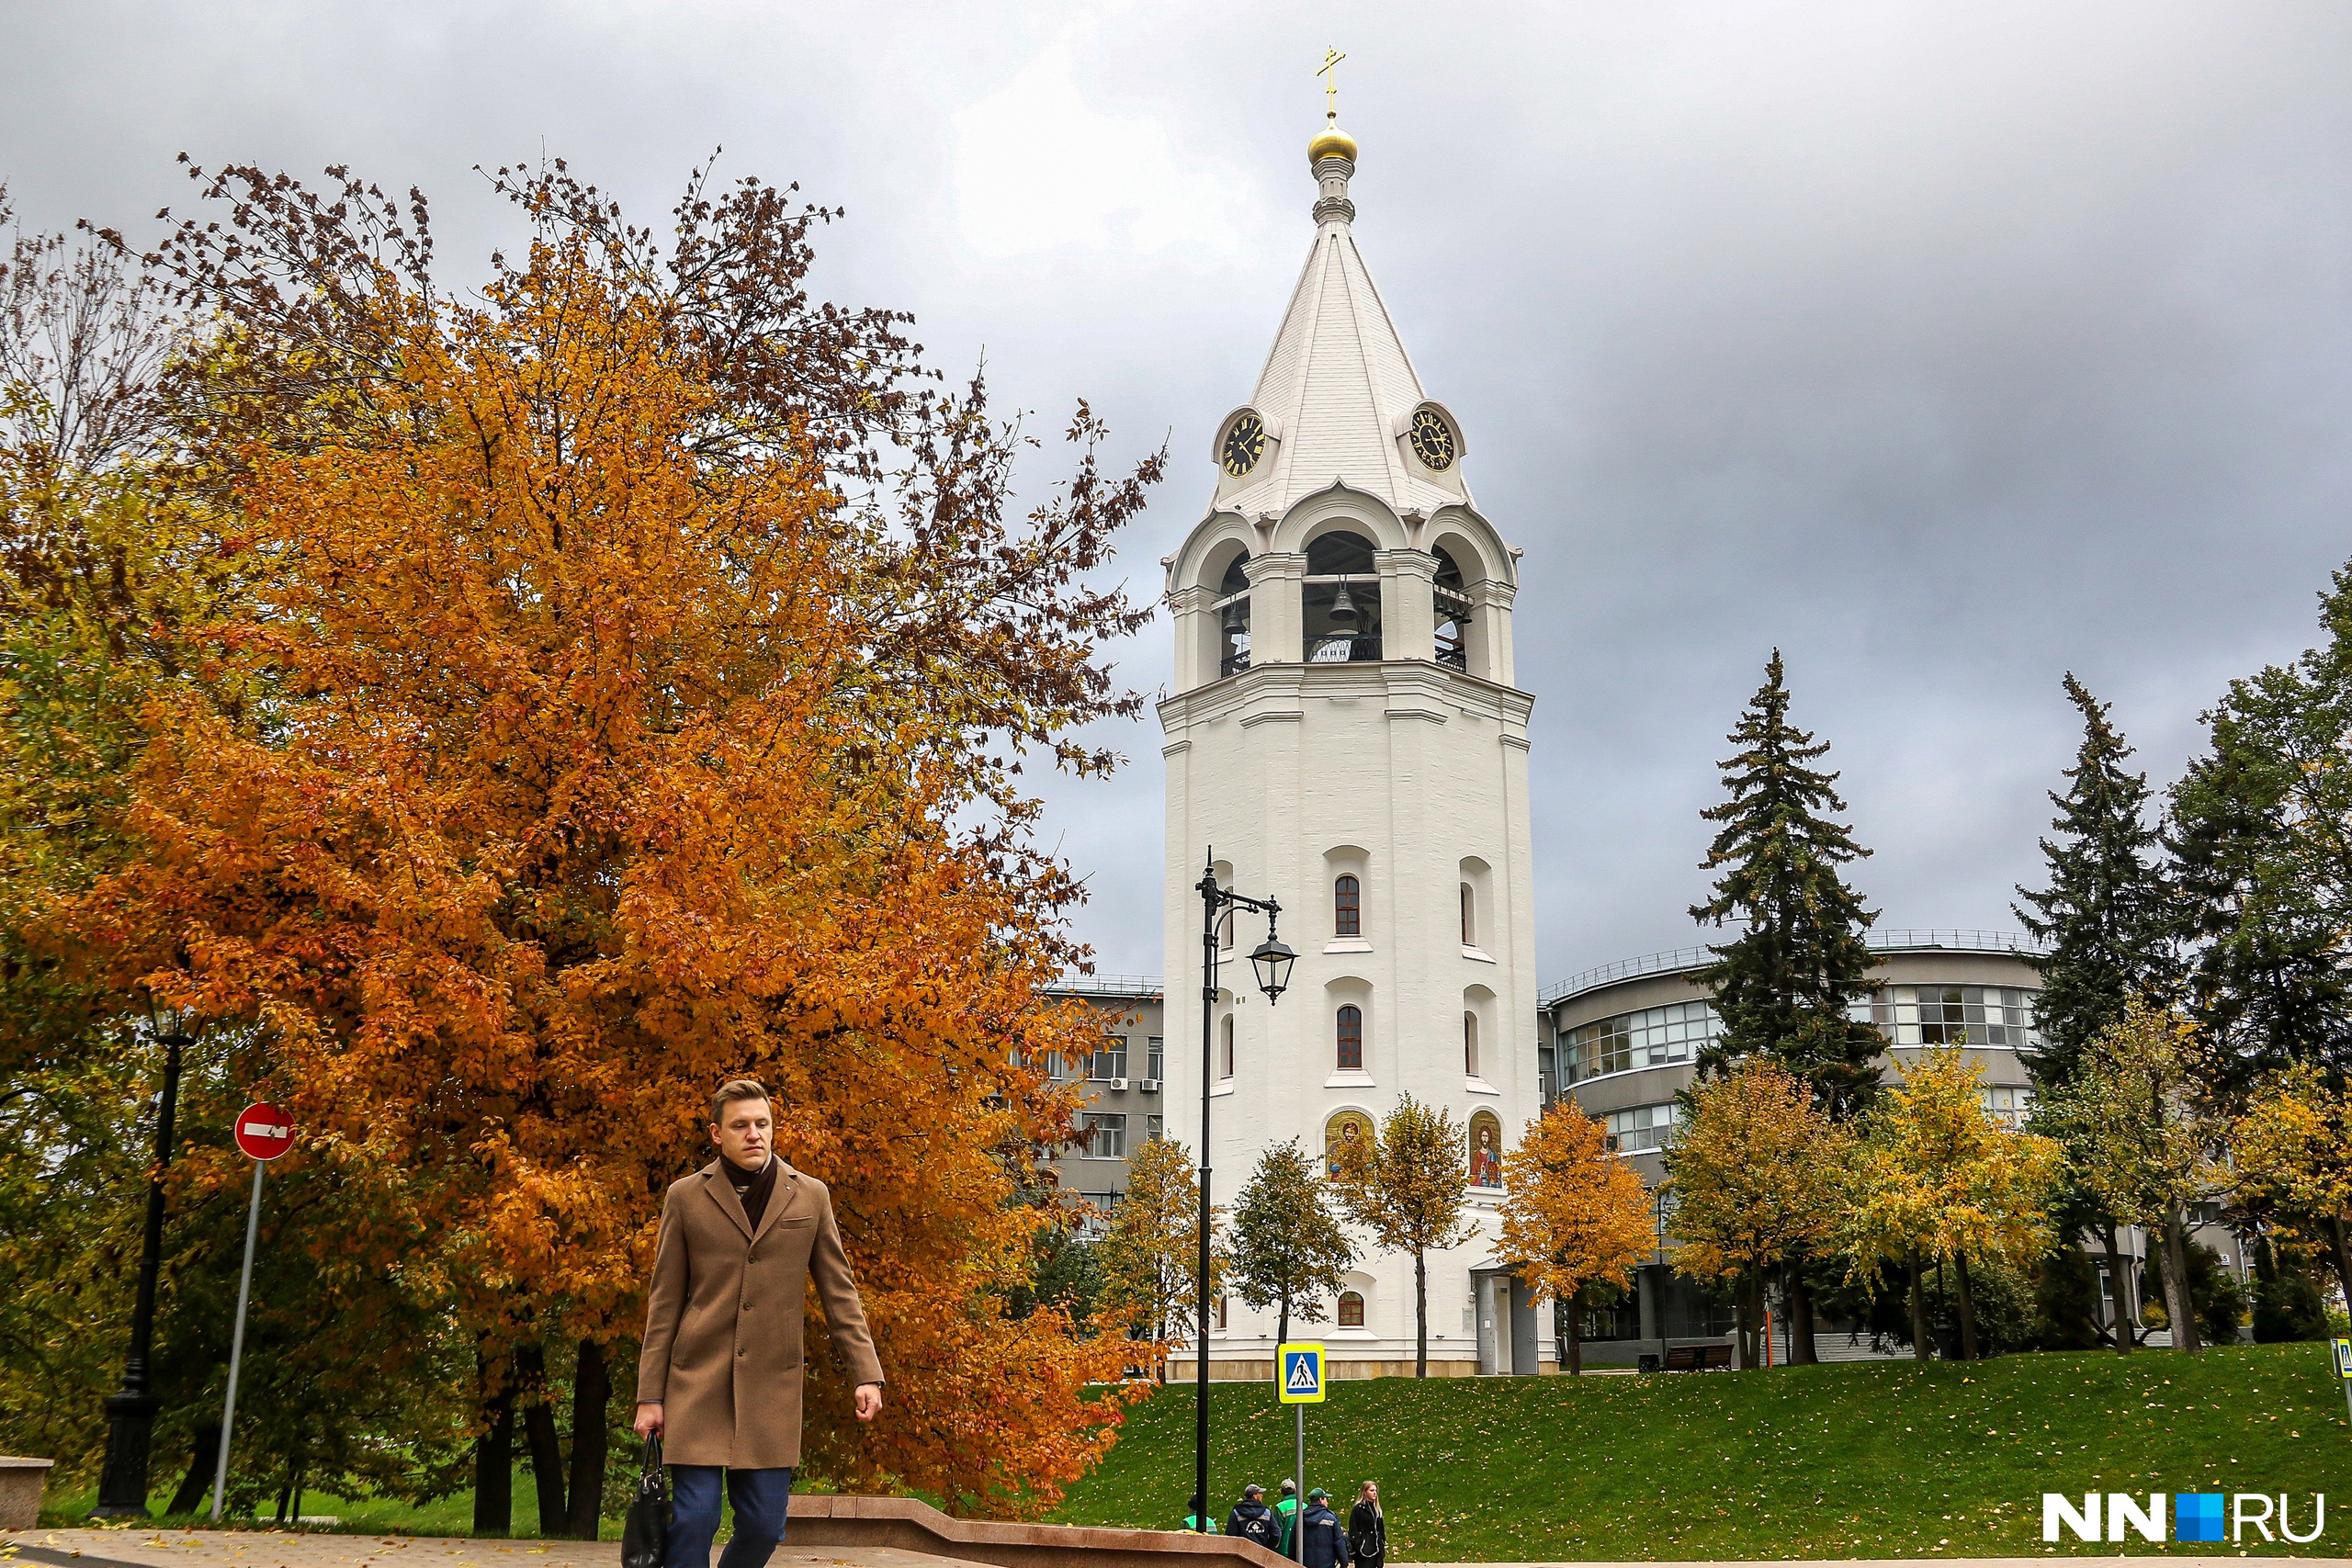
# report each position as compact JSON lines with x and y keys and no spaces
{"x":1339,"y":391}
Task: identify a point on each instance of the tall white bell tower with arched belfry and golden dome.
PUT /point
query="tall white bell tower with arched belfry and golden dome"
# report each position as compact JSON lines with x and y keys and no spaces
{"x":1347,"y":737}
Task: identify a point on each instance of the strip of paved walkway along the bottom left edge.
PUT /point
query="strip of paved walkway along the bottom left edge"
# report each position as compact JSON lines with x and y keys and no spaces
{"x":323,"y":1550}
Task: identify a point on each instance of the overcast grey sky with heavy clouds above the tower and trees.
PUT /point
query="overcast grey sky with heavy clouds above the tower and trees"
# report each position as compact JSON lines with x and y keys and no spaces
{"x":1946,"y":347}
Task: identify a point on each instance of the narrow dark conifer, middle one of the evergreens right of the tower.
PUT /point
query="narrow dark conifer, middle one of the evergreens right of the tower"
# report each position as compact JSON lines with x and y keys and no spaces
{"x":2106,"y":913}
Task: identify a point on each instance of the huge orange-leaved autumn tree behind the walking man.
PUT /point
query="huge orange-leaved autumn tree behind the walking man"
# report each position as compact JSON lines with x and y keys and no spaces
{"x":648,"y":655}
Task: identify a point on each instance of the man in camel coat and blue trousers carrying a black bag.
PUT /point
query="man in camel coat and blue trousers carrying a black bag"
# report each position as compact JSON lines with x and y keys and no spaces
{"x":721,"y":1369}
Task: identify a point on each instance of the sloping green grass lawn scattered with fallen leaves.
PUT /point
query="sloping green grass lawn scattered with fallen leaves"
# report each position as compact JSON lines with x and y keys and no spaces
{"x":1880,"y":1459}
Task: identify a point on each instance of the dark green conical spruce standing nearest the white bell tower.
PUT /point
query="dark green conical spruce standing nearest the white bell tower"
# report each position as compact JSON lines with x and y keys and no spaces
{"x":1800,"y":960}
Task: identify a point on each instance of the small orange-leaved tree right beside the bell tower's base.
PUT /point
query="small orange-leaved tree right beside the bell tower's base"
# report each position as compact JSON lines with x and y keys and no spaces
{"x":1577,"y":1214}
